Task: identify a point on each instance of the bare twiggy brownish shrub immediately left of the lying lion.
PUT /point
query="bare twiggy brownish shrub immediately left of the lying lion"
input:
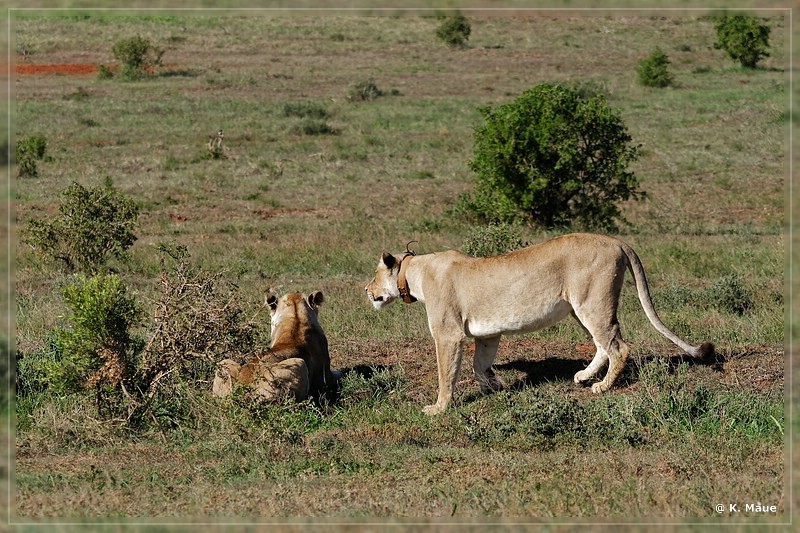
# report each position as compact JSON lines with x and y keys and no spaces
{"x":199,"y":319}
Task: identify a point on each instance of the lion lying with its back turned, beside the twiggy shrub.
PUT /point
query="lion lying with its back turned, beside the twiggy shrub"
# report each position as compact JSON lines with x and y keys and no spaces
{"x":297,"y":363}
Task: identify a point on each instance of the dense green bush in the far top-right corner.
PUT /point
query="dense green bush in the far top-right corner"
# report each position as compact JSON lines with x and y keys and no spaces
{"x":742,"y":38}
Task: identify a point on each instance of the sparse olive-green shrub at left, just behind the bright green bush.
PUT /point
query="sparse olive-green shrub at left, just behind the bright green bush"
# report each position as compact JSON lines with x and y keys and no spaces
{"x":91,"y":225}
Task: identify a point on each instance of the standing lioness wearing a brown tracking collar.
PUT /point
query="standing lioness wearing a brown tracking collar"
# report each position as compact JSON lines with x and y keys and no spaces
{"x":525,"y":290}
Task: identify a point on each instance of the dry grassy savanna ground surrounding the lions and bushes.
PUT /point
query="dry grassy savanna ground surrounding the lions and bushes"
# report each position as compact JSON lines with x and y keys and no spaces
{"x":297,"y":211}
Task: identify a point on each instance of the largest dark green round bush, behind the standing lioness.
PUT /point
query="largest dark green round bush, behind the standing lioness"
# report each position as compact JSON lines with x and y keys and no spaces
{"x":552,"y":156}
